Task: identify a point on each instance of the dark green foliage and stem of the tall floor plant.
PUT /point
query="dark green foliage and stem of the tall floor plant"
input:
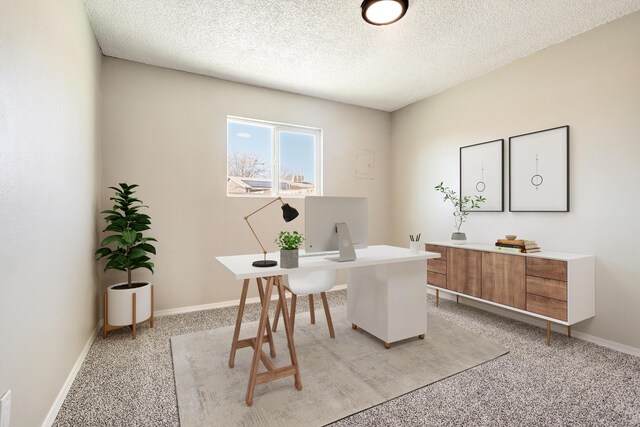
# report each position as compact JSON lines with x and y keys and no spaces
{"x":126,"y":247}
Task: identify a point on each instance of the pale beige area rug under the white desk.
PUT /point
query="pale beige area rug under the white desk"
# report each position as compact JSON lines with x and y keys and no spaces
{"x":340,"y":376}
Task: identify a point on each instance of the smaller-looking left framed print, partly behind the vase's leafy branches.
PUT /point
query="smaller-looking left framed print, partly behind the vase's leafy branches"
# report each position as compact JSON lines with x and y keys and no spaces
{"x":482,"y":174}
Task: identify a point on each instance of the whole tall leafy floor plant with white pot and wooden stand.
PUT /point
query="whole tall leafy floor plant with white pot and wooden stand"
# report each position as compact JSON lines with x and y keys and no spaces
{"x":127,"y":303}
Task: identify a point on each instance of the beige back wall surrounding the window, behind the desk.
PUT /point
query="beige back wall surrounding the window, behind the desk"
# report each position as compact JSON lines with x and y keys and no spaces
{"x":166,"y":130}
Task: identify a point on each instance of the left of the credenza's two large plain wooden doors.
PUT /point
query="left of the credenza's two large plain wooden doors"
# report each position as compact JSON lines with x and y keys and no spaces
{"x":464,"y":271}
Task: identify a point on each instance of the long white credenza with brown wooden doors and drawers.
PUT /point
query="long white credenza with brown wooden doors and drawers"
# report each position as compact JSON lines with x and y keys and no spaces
{"x":555,"y":286}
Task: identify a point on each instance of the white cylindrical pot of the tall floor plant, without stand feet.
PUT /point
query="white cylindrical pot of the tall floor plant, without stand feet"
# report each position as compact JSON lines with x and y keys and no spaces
{"x":120,"y":312}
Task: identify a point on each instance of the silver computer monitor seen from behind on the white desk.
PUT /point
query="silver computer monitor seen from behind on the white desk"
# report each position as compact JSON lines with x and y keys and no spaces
{"x":336,"y":224}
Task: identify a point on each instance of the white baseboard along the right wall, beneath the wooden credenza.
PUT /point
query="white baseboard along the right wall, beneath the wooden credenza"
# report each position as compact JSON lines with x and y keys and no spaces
{"x":623,"y":348}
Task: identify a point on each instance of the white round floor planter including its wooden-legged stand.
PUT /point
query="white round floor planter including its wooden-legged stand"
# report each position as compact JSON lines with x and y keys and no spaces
{"x":119,"y":305}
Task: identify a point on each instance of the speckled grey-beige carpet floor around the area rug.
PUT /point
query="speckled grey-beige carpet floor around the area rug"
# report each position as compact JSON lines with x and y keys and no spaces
{"x":125,"y":382}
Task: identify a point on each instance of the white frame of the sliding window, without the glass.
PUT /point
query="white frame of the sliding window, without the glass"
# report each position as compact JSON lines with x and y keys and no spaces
{"x":276,"y":128}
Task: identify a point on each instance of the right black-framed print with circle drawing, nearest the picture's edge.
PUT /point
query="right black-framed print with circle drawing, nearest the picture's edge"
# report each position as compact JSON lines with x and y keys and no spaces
{"x":539,"y":171}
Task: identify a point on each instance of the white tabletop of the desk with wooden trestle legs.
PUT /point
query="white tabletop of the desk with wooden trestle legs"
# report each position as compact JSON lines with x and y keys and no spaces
{"x":240,"y":265}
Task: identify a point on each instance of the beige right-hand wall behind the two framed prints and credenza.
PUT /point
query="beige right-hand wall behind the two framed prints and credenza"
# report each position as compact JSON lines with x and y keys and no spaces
{"x":590,"y":83}
